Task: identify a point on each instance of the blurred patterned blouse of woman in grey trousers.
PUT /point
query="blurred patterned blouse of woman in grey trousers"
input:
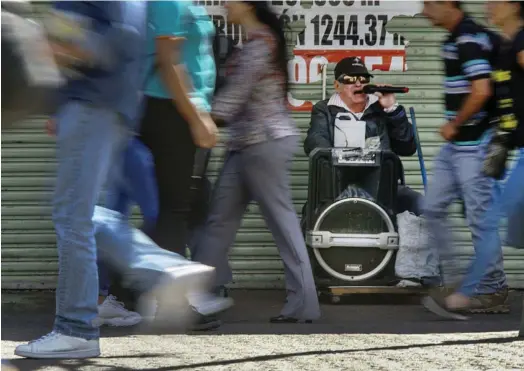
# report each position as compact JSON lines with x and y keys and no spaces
{"x":253,"y":100}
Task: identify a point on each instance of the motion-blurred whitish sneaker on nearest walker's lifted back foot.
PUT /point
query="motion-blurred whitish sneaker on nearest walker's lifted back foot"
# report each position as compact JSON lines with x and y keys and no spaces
{"x":170,"y":294}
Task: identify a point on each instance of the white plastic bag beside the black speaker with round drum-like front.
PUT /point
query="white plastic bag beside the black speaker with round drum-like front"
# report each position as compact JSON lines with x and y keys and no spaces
{"x":414,"y":258}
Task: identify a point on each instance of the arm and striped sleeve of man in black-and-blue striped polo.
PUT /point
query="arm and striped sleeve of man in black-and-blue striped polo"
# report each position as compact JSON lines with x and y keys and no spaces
{"x":477,"y":69}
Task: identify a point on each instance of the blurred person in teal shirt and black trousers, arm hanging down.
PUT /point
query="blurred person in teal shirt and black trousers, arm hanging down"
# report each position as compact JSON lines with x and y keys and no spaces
{"x":177,"y":103}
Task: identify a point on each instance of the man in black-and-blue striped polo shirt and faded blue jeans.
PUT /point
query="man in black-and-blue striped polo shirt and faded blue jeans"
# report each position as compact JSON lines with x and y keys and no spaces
{"x":469,"y":52}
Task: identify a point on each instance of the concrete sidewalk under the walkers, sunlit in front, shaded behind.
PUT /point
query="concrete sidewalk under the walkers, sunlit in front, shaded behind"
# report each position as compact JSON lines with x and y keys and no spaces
{"x":362,"y":335}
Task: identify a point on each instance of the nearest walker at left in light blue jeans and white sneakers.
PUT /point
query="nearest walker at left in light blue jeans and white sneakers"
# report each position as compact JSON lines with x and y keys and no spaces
{"x":104,"y":43}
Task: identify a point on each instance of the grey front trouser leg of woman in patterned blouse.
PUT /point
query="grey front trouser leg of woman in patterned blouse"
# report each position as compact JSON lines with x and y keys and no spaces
{"x":266,"y":167}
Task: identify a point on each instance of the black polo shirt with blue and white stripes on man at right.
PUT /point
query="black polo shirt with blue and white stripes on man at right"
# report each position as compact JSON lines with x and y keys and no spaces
{"x":468,"y":55}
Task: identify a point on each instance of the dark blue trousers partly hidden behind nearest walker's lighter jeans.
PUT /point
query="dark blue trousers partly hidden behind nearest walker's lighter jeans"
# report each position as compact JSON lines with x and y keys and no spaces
{"x":136,"y":185}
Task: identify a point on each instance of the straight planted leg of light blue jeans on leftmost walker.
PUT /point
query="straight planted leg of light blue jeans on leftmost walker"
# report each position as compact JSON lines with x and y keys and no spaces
{"x":88,"y":138}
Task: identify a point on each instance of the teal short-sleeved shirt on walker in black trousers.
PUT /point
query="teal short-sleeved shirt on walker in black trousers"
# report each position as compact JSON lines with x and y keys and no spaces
{"x":183,"y":19}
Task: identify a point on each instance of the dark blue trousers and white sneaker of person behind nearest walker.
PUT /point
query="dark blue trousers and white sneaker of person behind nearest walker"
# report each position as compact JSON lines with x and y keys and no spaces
{"x":137,"y":185}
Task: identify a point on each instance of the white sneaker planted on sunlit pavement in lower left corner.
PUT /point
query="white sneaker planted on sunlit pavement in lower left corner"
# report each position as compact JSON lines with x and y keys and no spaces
{"x":56,"y":345}
